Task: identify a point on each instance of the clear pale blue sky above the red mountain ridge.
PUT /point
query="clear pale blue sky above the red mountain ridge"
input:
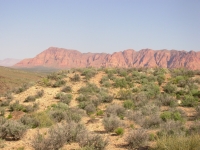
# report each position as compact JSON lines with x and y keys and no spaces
{"x":28,"y":27}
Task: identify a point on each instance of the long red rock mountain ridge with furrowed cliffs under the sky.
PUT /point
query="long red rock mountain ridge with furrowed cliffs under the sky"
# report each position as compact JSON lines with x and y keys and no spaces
{"x":64,"y":58}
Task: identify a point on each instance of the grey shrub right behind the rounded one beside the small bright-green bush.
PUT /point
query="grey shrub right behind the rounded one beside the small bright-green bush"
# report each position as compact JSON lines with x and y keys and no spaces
{"x":115,"y":109}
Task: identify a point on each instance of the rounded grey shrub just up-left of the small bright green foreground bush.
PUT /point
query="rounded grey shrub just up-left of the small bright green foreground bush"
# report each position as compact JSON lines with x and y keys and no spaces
{"x":111,"y":123}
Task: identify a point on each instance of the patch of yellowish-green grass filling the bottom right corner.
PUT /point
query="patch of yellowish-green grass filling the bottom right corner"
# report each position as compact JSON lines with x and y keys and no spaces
{"x":178,"y":142}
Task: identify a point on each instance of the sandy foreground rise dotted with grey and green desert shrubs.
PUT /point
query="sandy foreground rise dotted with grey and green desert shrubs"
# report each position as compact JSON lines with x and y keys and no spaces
{"x":104,"y":108}
